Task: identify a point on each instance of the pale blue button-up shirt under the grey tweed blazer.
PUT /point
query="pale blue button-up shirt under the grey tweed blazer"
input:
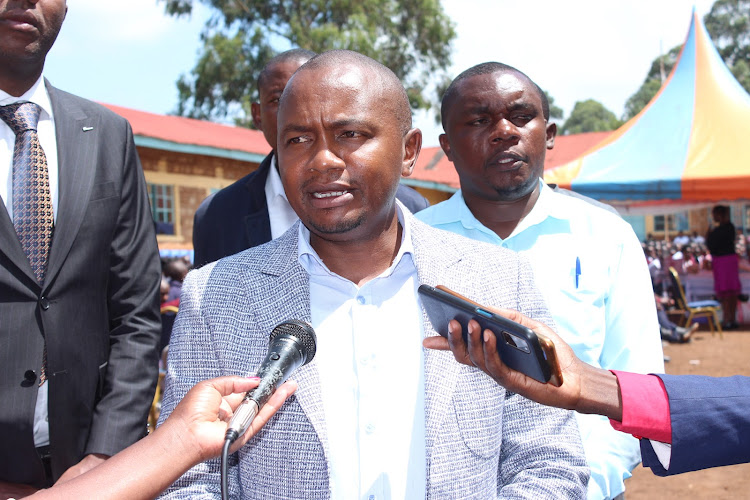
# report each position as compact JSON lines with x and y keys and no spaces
{"x":371,"y":365}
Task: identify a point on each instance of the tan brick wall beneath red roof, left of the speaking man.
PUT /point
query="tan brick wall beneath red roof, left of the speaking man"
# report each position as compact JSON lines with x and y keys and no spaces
{"x":193,"y":178}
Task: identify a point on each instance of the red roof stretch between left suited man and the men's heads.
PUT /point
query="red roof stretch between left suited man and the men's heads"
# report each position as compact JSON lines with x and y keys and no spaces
{"x":183,"y":130}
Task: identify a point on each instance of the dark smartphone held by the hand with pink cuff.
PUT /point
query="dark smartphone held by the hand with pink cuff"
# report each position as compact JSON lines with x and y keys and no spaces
{"x":519,"y":347}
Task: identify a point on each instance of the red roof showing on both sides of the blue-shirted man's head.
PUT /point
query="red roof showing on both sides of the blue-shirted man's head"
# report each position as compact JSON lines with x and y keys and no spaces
{"x":433,"y":166}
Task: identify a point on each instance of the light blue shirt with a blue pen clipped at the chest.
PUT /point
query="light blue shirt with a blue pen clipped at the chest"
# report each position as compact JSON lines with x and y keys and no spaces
{"x":591,"y":270}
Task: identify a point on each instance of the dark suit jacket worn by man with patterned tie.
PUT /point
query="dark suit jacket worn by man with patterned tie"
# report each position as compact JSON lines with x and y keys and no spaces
{"x":97,"y":309}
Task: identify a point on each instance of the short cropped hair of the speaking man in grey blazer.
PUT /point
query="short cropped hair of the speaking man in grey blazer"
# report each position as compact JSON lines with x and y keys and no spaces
{"x":344,"y":58}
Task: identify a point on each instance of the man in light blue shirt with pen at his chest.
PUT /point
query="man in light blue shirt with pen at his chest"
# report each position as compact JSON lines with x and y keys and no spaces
{"x":587,"y":262}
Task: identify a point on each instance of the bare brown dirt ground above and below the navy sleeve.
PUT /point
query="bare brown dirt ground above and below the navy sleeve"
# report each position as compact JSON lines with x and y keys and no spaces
{"x":703,"y":356}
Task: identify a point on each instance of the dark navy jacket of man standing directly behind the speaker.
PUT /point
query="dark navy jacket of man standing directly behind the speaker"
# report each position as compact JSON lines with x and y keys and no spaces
{"x":236,"y":218}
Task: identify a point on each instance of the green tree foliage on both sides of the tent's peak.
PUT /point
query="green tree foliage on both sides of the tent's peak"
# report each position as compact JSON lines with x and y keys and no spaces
{"x":728,"y":23}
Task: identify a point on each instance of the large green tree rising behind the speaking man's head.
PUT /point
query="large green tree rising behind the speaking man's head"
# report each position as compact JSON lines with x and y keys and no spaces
{"x":412,"y":37}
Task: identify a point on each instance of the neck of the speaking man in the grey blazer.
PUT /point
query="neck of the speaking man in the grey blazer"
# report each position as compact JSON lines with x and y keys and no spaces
{"x":360,"y":259}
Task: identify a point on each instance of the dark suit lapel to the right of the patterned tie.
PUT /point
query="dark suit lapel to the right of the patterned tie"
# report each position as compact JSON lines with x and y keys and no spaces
{"x":77,"y":143}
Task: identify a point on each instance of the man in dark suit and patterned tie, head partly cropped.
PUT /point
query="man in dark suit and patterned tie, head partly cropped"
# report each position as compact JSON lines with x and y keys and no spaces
{"x":79,"y":317}
